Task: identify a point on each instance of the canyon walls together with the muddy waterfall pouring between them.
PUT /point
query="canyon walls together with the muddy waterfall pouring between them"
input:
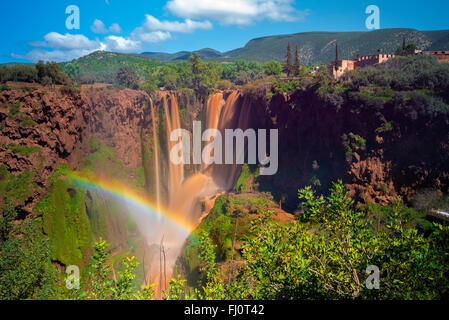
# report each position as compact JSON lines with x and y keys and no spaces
{"x":321,"y":139}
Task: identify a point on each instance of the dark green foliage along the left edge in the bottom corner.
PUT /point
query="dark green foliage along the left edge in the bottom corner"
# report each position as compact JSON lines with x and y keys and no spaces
{"x":26,"y":271}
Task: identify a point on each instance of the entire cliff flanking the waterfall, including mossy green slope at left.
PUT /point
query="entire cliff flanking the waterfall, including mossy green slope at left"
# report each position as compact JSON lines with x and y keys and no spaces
{"x":382,"y":147}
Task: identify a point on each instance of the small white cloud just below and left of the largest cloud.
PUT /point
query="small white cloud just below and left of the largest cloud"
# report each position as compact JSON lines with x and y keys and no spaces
{"x":188,"y":26}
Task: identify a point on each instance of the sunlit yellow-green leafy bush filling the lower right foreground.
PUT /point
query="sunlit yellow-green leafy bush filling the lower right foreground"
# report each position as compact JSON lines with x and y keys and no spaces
{"x":326,"y":253}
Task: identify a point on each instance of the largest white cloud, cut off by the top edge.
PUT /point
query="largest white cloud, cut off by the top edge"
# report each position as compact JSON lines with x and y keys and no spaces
{"x":237,"y":12}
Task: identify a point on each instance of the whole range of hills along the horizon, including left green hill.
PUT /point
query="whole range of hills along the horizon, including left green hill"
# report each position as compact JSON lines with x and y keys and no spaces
{"x":314,"y":48}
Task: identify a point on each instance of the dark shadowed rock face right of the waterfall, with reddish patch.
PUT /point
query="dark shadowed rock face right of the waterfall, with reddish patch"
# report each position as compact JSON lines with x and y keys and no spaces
{"x":323,"y":139}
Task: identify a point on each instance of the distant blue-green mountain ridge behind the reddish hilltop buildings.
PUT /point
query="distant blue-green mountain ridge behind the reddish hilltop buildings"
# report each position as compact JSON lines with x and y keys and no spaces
{"x":318,"y":47}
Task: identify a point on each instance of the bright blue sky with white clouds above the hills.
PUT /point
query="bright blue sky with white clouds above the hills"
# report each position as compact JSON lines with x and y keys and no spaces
{"x":37,"y":29}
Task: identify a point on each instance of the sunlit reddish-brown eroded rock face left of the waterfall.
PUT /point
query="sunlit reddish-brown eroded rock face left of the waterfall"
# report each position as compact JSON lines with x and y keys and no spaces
{"x":42,"y":128}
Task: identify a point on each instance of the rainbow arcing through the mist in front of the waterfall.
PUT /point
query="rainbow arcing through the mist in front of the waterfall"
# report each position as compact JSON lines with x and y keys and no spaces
{"x":124,"y":195}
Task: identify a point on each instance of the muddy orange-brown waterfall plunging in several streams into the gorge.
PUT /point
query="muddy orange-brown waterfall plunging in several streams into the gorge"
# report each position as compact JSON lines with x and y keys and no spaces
{"x":185,"y":195}
